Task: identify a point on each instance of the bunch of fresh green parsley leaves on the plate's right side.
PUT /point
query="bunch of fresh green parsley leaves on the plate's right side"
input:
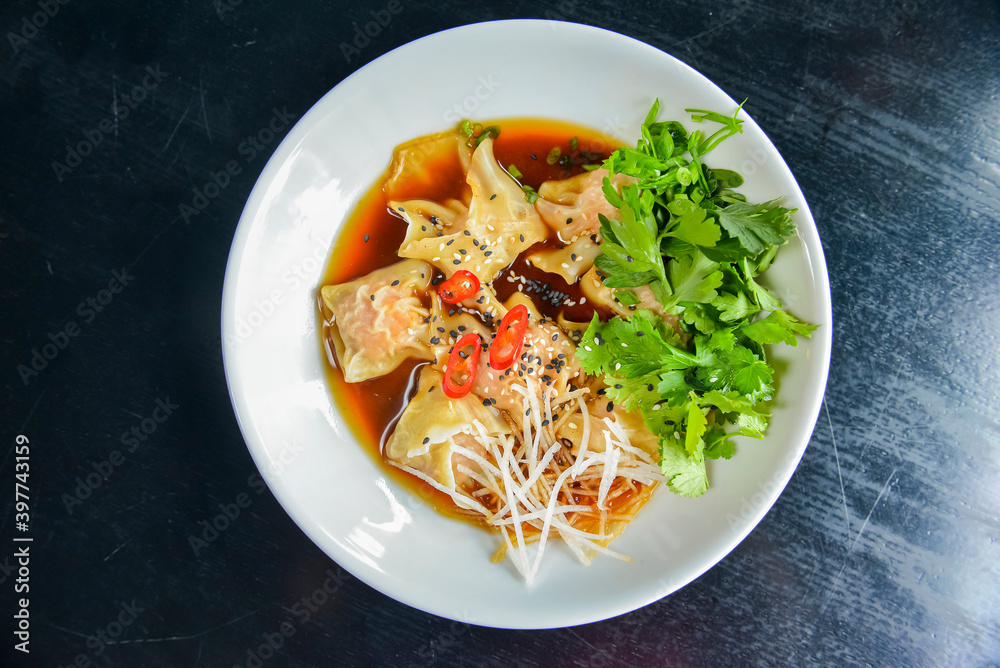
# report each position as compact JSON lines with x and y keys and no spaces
{"x":700,"y":246}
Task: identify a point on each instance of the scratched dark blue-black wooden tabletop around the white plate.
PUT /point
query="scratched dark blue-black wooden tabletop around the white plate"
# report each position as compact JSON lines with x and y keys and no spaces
{"x":883,"y":550}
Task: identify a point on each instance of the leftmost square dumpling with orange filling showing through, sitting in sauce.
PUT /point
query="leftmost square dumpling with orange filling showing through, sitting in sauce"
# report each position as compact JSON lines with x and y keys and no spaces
{"x":379,"y":320}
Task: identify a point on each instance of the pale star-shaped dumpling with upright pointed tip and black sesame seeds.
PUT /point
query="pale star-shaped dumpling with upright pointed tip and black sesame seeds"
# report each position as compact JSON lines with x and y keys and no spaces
{"x":497,"y":227}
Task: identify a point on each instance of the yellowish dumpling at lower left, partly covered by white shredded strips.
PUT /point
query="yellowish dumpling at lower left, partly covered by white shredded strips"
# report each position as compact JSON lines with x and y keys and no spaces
{"x":432,"y":423}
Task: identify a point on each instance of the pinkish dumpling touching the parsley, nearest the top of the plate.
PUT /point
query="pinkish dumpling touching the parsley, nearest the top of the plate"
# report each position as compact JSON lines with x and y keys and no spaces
{"x":571,"y":206}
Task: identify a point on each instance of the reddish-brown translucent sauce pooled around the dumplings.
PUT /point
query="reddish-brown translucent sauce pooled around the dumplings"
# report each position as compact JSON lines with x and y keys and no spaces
{"x":371,"y":237}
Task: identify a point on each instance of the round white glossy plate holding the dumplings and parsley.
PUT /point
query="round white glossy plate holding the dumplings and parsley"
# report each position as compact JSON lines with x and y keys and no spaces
{"x":325,"y":480}
